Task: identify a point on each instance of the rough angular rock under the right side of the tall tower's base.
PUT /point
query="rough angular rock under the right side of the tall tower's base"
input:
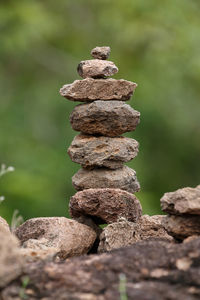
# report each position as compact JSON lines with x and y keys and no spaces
{"x":124,"y":233}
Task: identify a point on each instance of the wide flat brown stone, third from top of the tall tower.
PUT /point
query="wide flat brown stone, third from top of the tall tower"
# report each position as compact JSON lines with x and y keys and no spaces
{"x":90,"y":89}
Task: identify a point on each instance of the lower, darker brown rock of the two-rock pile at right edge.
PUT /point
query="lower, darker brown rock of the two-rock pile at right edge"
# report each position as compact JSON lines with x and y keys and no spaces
{"x":182,"y":227}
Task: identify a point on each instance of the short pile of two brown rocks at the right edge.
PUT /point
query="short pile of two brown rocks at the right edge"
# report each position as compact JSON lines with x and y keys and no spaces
{"x":183,"y":208}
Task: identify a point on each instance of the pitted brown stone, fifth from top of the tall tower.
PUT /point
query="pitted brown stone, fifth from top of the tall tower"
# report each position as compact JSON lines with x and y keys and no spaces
{"x":90,"y":151}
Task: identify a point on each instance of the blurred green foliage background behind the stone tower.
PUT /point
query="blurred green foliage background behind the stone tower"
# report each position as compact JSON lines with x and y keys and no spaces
{"x":154,"y":43}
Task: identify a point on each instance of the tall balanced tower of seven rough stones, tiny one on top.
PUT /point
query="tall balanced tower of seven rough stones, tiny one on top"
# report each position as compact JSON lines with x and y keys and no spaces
{"x":105,"y":185}
